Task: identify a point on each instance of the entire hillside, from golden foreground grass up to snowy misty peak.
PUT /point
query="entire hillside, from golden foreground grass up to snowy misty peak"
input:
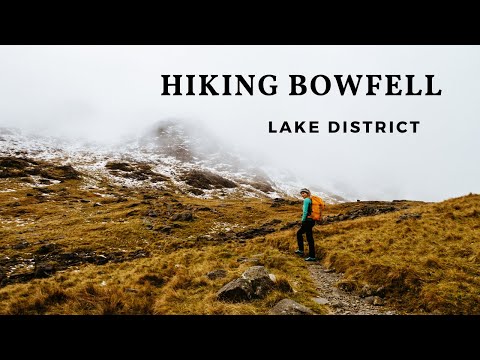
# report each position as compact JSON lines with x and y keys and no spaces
{"x":136,"y":228}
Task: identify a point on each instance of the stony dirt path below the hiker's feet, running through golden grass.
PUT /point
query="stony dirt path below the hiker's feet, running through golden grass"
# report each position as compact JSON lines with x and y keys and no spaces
{"x":341,"y":302}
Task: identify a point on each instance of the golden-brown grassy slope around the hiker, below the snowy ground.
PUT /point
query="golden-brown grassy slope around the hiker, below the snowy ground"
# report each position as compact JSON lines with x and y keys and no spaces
{"x":429,"y":264}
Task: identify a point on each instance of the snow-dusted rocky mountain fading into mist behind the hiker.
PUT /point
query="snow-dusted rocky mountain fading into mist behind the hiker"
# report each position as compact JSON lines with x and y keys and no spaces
{"x":170,"y":154}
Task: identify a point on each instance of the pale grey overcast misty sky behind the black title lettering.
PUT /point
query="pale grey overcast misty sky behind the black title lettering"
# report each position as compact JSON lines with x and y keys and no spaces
{"x":107,"y":91}
